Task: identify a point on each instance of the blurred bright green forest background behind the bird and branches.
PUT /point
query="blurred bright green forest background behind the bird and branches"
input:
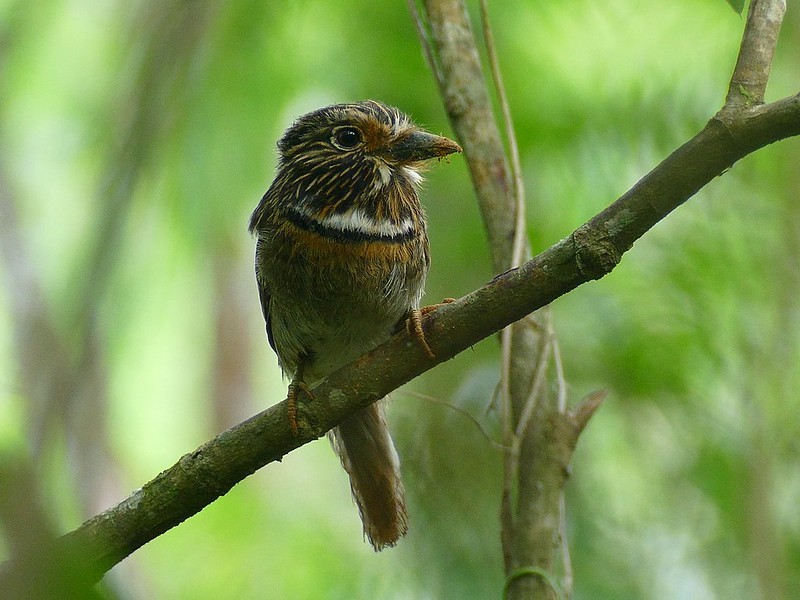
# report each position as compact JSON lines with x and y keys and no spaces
{"x":135,"y":139}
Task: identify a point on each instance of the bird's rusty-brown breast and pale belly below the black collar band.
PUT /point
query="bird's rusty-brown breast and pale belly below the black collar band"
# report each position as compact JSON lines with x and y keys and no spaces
{"x":331,"y":300}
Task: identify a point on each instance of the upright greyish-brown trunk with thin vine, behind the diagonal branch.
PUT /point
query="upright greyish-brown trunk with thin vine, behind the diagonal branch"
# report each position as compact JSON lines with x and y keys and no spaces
{"x":530,"y":507}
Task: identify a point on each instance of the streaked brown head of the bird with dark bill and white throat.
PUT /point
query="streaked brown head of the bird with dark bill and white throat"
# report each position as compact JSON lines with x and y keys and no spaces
{"x":353,"y":166}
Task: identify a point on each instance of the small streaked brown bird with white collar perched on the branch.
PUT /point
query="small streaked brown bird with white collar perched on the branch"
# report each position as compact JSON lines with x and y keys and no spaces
{"x":341,"y":259}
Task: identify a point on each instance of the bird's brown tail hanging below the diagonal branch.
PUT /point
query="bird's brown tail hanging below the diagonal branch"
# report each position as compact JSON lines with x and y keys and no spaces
{"x":368,"y":455}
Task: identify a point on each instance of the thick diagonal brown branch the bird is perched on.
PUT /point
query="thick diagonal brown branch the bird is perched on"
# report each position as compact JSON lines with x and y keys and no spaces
{"x":590,"y":252}
